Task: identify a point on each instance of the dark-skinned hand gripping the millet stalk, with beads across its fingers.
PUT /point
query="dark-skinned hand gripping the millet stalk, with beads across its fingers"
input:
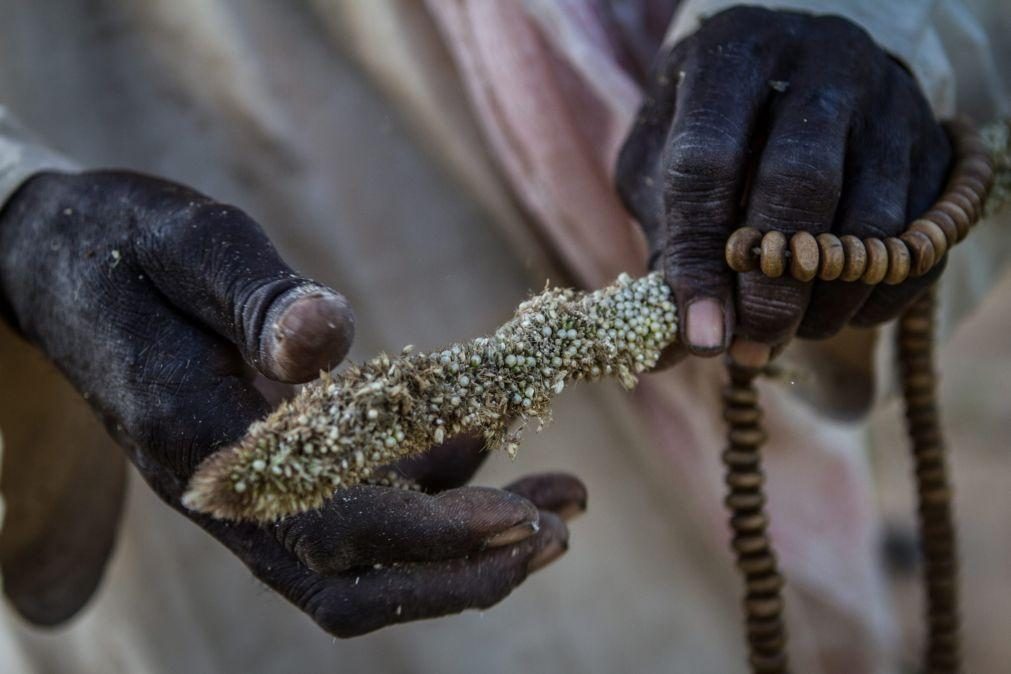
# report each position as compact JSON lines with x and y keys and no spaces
{"x":778,"y":121}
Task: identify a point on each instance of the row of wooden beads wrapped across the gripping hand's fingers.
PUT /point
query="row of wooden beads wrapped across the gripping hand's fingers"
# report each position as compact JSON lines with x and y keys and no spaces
{"x":872,"y":261}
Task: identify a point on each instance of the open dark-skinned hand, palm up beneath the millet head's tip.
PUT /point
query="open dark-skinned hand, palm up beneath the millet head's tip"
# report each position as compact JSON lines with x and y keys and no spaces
{"x":159,"y":305}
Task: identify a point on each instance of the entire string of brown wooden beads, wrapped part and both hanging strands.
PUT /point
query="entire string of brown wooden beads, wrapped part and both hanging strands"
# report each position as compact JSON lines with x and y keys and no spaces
{"x":872,"y":261}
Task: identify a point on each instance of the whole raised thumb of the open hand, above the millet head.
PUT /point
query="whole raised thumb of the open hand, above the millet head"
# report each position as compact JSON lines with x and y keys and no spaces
{"x":217,"y":265}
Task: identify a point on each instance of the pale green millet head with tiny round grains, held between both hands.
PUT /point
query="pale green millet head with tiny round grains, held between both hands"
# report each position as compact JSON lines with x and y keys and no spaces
{"x":344,"y":429}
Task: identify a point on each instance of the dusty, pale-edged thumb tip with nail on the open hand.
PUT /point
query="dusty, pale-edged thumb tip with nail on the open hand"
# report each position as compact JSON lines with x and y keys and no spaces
{"x":314,"y":333}
